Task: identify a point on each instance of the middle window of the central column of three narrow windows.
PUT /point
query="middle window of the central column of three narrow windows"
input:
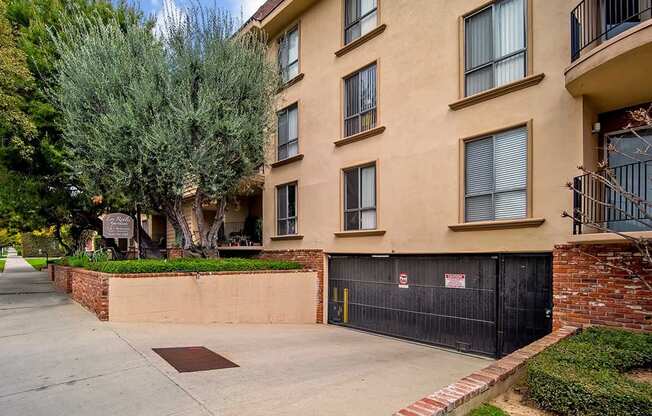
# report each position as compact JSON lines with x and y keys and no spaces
{"x":360,"y":101}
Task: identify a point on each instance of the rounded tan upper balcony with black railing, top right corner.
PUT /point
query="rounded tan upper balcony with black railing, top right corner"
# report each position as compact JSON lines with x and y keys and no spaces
{"x":611,"y":48}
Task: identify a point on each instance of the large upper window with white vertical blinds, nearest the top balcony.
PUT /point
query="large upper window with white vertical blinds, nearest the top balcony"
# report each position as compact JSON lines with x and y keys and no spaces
{"x":495,"y":46}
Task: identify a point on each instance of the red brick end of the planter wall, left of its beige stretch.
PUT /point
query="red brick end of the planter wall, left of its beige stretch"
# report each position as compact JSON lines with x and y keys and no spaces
{"x":91,"y":290}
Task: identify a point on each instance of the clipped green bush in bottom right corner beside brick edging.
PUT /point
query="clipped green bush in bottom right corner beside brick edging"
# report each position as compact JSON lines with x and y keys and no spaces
{"x":583,"y":375}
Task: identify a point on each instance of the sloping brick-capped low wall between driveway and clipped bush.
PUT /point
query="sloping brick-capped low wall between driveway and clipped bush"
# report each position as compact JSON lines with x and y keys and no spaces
{"x":481,"y":386}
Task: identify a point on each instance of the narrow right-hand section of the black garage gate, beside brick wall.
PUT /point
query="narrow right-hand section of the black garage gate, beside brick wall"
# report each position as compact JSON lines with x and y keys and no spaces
{"x":525,"y":300}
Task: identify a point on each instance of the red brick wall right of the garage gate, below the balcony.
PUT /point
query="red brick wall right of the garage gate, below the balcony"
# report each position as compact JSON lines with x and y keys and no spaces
{"x":587,"y":291}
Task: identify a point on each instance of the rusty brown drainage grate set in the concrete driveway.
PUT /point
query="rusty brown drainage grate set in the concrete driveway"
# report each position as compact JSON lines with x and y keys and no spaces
{"x":190,"y":359}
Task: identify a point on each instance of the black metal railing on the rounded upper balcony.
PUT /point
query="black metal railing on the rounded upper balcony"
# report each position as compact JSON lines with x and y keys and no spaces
{"x":594,"y":21}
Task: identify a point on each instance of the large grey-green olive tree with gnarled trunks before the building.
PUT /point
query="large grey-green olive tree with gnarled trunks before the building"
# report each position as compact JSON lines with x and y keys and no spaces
{"x":150,"y":115}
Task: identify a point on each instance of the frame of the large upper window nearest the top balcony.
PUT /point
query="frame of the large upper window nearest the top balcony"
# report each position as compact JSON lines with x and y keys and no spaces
{"x":494,"y":61}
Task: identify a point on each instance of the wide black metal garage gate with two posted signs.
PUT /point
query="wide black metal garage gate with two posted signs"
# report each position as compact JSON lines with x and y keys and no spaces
{"x":484,"y":304}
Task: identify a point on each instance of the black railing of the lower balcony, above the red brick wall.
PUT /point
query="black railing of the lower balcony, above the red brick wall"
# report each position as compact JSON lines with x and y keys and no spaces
{"x":623,"y":207}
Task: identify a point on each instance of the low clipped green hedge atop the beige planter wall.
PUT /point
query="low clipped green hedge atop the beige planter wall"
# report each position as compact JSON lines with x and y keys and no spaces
{"x":189,"y":265}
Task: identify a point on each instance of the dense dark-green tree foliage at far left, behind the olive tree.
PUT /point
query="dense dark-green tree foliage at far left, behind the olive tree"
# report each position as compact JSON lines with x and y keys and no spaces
{"x":36,"y":188}
